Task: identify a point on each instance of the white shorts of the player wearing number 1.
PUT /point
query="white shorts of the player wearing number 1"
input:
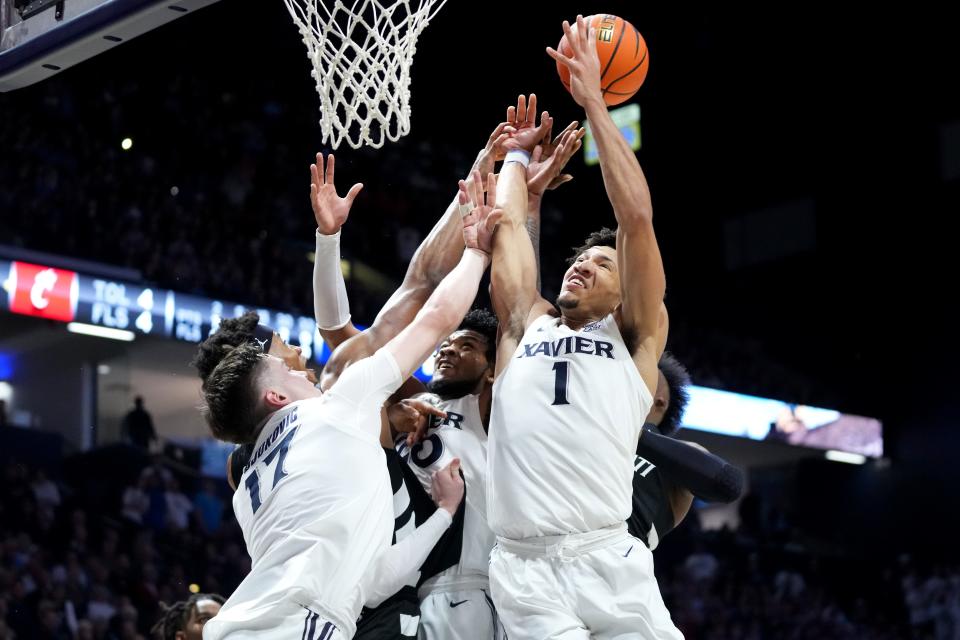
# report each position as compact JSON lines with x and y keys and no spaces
{"x":595,"y":585}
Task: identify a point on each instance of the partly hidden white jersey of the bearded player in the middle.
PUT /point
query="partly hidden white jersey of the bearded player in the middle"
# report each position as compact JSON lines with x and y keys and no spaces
{"x":460,"y":435}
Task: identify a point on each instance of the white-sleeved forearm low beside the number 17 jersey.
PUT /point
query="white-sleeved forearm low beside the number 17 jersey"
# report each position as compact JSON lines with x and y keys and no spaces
{"x":400,"y":565}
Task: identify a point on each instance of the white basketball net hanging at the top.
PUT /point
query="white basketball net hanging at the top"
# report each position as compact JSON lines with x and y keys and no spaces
{"x":361,"y":56}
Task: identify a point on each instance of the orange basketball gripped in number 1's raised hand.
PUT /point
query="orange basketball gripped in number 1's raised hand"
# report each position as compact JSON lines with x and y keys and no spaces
{"x":623,"y":57}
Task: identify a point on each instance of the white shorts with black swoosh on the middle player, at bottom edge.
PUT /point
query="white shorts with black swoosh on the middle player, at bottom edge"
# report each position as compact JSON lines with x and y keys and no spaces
{"x":459,"y":615}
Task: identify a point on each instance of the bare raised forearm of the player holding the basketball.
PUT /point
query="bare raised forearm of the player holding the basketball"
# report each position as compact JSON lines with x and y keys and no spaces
{"x":623,"y":178}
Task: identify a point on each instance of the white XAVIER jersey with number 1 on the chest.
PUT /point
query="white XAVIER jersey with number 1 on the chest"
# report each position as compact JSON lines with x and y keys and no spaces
{"x":566,"y":417}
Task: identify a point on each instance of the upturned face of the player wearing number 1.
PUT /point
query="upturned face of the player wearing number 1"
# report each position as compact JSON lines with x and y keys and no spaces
{"x":592,"y":283}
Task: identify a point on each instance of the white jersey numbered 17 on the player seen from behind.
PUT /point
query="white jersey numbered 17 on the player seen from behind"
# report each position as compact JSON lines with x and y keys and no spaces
{"x":315,"y":505}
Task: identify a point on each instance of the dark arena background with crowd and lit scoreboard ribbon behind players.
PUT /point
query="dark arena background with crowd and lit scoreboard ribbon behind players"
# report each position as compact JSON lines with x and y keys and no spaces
{"x":804,"y":164}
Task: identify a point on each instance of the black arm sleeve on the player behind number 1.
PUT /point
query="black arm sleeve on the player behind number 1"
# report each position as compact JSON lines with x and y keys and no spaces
{"x":705,"y":475}
